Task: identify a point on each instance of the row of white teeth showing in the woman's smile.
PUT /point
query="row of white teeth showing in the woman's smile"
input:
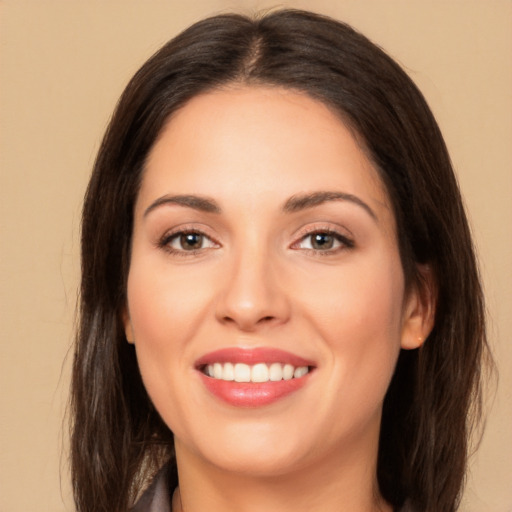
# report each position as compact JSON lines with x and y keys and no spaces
{"x":260,"y":372}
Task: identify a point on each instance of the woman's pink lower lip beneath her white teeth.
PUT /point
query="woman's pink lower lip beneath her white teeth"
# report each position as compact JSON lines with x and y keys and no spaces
{"x":252,"y":394}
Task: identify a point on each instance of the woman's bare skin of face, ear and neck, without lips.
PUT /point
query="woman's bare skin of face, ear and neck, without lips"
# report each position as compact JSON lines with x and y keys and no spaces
{"x":255,"y":281}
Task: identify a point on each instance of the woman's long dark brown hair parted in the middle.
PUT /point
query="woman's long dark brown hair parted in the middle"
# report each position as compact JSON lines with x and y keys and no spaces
{"x":118,"y":438}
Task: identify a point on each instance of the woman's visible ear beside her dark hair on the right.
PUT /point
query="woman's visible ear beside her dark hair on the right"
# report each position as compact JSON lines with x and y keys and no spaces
{"x":419,"y":309}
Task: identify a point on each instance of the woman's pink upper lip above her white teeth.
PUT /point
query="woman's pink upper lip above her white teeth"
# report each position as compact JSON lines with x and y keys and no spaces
{"x":252,"y":356}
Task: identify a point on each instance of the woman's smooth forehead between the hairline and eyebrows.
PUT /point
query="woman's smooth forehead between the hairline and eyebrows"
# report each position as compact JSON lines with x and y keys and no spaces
{"x":258,"y":141}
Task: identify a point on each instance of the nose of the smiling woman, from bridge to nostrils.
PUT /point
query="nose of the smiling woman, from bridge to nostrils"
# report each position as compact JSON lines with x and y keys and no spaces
{"x":252,"y":295}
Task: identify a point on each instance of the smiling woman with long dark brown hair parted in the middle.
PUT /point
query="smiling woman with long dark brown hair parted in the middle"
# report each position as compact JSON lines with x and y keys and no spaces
{"x":280,"y":302}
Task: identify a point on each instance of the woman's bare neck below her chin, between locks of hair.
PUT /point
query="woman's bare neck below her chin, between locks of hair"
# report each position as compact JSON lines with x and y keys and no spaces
{"x":351,"y":486}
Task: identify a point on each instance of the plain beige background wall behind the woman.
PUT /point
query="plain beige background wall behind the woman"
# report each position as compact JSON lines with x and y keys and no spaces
{"x":63,"y":66}
